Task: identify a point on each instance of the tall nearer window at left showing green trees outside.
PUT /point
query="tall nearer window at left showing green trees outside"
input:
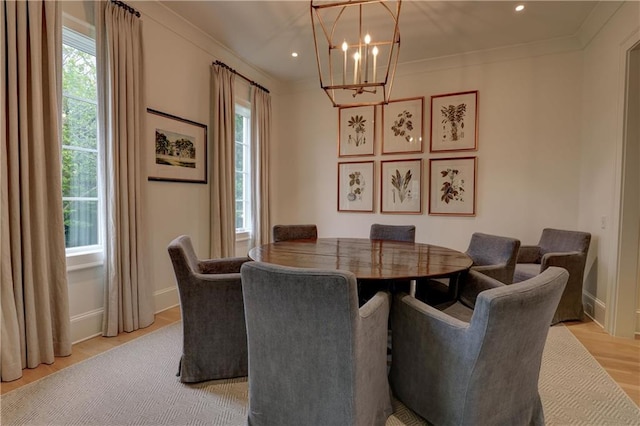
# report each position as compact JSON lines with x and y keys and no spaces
{"x":80,"y":155}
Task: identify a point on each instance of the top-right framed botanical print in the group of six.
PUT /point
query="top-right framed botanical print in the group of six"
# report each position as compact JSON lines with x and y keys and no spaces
{"x":454,"y":122}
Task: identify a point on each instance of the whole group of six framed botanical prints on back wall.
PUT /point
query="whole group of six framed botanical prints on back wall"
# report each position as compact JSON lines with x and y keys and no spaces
{"x":447,"y":171}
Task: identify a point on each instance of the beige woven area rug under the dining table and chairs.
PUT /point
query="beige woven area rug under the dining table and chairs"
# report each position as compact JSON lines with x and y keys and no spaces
{"x":135,"y":384}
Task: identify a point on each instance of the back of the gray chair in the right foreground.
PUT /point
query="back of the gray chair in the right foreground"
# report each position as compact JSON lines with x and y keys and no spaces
{"x":508,"y":331}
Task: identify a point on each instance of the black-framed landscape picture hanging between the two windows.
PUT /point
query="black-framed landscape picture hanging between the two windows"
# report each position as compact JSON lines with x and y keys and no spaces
{"x":177,"y":148}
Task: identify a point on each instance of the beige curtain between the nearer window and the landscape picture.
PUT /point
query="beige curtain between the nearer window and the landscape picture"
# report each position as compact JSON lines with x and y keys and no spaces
{"x":129,"y":303}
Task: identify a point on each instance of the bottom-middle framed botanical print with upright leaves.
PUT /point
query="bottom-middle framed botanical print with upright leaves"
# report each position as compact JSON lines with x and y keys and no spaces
{"x":401,"y":186}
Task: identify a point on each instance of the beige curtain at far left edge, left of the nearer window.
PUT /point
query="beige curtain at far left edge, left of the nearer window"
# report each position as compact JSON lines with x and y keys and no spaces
{"x":35,"y":302}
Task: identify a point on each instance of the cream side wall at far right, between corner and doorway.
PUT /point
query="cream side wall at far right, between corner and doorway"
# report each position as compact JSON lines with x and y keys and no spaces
{"x":601,"y":144}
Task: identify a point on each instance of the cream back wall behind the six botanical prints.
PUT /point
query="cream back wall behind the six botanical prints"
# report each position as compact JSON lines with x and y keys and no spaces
{"x":528,"y":162}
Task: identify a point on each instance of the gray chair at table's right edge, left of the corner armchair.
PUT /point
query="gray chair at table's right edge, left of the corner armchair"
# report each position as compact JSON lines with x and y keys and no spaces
{"x":493,"y":255}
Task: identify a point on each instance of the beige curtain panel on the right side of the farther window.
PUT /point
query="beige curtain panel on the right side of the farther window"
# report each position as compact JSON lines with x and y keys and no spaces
{"x":260,"y":142}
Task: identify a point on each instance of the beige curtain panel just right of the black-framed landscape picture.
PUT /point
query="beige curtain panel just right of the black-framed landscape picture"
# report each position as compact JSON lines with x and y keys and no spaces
{"x":223,"y":229}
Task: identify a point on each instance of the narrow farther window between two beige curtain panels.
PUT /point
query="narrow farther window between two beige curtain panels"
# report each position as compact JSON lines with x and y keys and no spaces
{"x":243,"y":169}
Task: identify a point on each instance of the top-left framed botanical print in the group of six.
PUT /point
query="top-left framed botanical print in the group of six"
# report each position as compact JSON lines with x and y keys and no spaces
{"x":356,"y":128}
